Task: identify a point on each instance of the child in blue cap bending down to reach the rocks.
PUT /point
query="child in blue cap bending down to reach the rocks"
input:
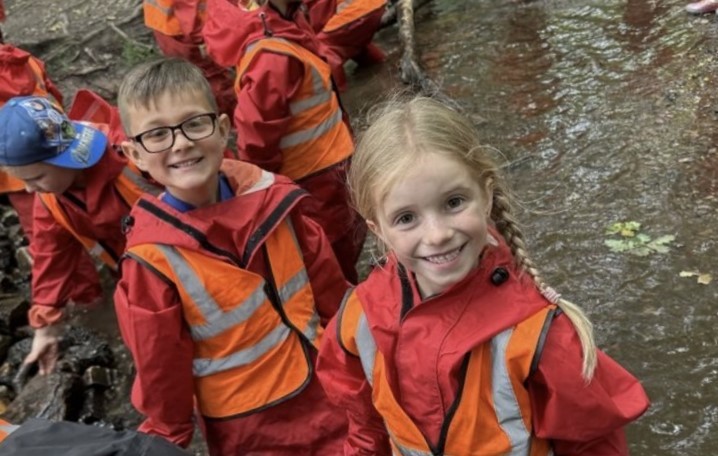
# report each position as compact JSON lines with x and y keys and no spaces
{"x":85,"y":188}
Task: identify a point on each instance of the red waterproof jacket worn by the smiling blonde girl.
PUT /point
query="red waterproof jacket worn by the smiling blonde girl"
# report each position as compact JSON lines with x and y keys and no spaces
{"x":424,"y":343}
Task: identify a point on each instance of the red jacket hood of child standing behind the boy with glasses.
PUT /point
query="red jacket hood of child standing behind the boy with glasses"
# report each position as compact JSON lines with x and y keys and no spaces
{"x":230,"y":29}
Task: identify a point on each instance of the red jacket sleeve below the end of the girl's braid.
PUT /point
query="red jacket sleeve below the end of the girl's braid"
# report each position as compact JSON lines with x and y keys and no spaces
{"x":582,"y":418}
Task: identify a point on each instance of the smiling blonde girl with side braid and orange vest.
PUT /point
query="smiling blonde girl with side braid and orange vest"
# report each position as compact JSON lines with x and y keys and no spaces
{"x":455,"y":343}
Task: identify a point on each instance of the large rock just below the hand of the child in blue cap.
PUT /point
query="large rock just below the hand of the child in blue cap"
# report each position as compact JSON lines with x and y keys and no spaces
{"x":57,"y":396}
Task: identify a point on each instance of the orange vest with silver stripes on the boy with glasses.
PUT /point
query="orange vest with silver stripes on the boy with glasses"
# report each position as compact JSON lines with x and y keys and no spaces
{"x":252,"y":338}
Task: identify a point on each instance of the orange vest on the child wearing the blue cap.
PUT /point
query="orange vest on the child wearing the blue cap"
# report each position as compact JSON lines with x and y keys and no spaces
{"x":130,"y":184}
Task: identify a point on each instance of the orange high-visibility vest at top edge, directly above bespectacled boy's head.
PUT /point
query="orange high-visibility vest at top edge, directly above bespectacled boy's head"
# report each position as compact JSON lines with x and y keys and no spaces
{"x":165,"y":17}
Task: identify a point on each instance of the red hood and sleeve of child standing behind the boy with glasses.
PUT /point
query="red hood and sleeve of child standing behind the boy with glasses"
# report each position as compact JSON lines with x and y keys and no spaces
{"x":273,"y":78}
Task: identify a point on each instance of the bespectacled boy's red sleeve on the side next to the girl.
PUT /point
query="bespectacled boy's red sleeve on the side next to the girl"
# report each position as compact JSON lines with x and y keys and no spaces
{"x":325,"y":274}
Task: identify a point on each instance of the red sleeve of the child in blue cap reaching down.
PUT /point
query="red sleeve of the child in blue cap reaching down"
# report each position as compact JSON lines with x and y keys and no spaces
{"x":61,"y":269}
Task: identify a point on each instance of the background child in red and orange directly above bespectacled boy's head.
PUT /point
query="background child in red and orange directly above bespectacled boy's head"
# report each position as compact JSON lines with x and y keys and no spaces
{"x":177,"y":26}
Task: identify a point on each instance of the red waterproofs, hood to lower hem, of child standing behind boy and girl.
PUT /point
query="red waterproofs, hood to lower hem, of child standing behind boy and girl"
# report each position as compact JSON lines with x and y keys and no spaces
{"x":263,"y":114}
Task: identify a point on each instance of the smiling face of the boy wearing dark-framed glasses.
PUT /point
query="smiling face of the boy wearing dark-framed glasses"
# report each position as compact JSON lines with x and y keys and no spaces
{"x":188,"y":169}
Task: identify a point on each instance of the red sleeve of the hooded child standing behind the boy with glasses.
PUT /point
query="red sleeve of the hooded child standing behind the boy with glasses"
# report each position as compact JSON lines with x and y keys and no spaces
{"x":262,"y":114}
